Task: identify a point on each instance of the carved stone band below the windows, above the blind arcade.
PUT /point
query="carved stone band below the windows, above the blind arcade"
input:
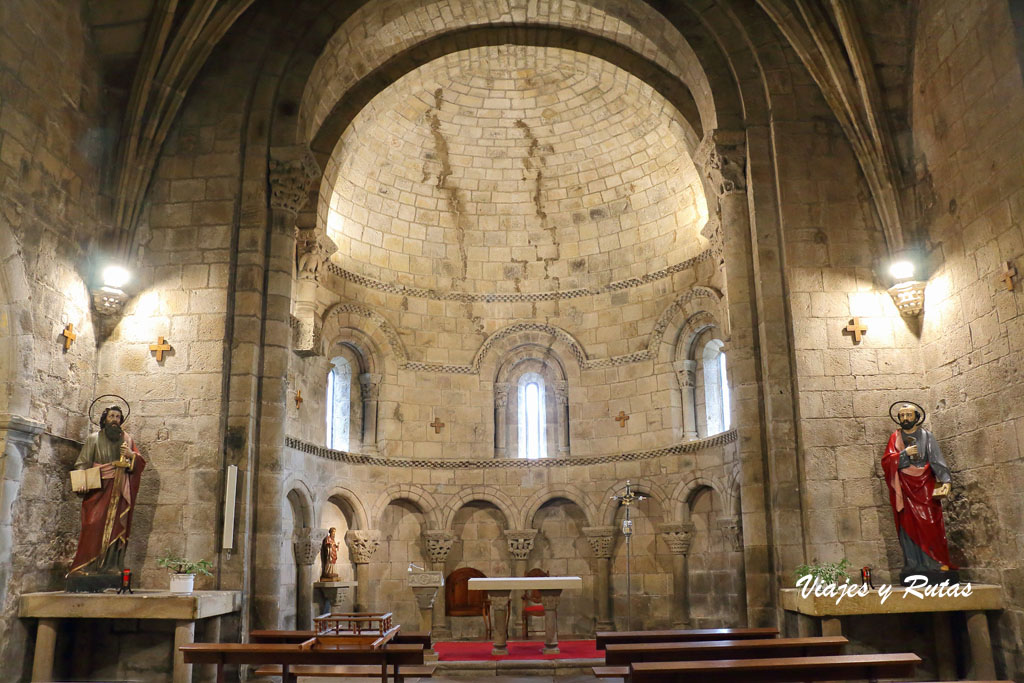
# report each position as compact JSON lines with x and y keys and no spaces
{"x":504,"y":463}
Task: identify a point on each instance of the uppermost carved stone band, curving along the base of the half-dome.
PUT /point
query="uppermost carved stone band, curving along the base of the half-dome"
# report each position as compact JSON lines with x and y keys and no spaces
{"x":515,"y":297}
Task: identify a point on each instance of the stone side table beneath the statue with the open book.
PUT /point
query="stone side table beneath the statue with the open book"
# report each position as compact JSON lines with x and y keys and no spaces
{"x":51,"y":608}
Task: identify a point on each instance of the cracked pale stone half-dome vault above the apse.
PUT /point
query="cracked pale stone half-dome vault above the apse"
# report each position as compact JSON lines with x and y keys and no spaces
{"x":515,"y":169}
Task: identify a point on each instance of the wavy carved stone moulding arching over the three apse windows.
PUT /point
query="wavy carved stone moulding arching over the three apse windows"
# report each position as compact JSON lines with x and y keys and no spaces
{"x":576,"y":349}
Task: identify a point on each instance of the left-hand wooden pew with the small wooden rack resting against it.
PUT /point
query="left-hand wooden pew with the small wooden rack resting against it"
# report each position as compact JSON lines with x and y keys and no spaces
{"x":391,"y":660}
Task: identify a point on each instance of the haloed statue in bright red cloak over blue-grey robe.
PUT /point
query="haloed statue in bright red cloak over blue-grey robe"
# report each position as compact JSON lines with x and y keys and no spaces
{"x":918,"y":480}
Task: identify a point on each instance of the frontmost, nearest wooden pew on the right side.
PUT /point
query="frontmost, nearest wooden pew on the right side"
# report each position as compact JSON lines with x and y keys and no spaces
{"x":785,"y":670}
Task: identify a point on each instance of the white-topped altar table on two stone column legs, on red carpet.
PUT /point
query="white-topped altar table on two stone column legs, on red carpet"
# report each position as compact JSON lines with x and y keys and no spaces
{"x":498,"y":591}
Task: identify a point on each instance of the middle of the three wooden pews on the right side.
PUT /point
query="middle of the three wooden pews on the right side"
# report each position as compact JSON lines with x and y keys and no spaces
{"x":619,"y":657}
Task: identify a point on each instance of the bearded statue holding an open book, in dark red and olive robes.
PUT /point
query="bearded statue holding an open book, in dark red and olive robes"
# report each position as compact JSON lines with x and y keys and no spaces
{"x":107,"y":476}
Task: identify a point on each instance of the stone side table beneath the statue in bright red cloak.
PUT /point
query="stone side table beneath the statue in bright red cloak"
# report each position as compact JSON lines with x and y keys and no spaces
{"x":984,"y":597}
